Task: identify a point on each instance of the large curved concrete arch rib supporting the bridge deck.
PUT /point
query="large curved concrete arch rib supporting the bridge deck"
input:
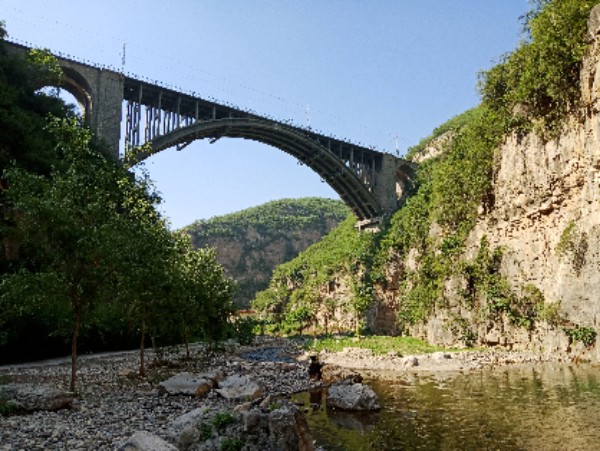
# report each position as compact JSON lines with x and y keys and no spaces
{"x":330,"y":168}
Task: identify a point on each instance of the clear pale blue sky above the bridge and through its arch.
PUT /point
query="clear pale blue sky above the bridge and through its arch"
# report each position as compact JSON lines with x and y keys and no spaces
{"x":383,"y":73}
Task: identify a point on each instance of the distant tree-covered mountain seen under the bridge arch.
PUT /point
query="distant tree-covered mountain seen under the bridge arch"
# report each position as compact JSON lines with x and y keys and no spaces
{"x":252,"y":242}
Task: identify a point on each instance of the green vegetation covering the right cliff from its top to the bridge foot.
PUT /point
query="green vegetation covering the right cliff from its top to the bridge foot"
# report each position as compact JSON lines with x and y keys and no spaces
{"x":532,"y":89}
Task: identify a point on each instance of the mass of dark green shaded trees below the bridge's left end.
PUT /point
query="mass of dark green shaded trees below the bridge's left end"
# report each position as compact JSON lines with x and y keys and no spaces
{"x":86,"y":261}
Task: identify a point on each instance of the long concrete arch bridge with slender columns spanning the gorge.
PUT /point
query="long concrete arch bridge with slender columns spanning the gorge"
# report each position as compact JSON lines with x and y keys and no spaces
{"x":372,"y":183}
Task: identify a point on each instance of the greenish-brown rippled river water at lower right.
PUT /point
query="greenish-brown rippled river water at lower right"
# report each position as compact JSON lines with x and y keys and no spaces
{"x":547,"y":407}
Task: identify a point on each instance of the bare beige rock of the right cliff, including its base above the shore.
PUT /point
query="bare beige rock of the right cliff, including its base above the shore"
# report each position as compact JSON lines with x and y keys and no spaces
{"x":546,"y":218}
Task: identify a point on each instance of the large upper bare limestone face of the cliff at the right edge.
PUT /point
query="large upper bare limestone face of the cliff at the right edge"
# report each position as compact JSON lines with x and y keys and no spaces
{"x":547,"y":211}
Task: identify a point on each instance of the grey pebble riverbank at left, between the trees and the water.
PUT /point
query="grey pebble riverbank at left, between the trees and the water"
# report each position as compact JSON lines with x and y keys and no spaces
{"x":113,"y":403}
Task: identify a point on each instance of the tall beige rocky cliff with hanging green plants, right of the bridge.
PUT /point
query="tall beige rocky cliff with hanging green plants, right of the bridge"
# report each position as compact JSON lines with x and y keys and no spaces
{"x":519,"y":268}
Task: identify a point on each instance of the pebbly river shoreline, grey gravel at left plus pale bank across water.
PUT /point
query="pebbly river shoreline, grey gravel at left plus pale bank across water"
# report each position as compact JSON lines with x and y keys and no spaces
{"x":113,"y":403}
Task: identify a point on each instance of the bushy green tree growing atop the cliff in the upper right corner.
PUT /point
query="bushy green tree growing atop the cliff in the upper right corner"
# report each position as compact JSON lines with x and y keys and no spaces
{"x":537,"y":85}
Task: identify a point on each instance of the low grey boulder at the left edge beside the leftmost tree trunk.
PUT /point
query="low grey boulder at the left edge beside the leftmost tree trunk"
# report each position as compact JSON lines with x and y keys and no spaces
{"x":32,"y":397}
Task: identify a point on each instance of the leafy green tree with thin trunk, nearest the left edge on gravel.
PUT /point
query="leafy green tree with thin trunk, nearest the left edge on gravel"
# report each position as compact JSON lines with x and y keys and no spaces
{"x":69,"y":229}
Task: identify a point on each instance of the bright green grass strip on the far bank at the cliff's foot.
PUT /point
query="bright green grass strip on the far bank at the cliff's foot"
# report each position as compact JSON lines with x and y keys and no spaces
{"x":378,"y":344}
